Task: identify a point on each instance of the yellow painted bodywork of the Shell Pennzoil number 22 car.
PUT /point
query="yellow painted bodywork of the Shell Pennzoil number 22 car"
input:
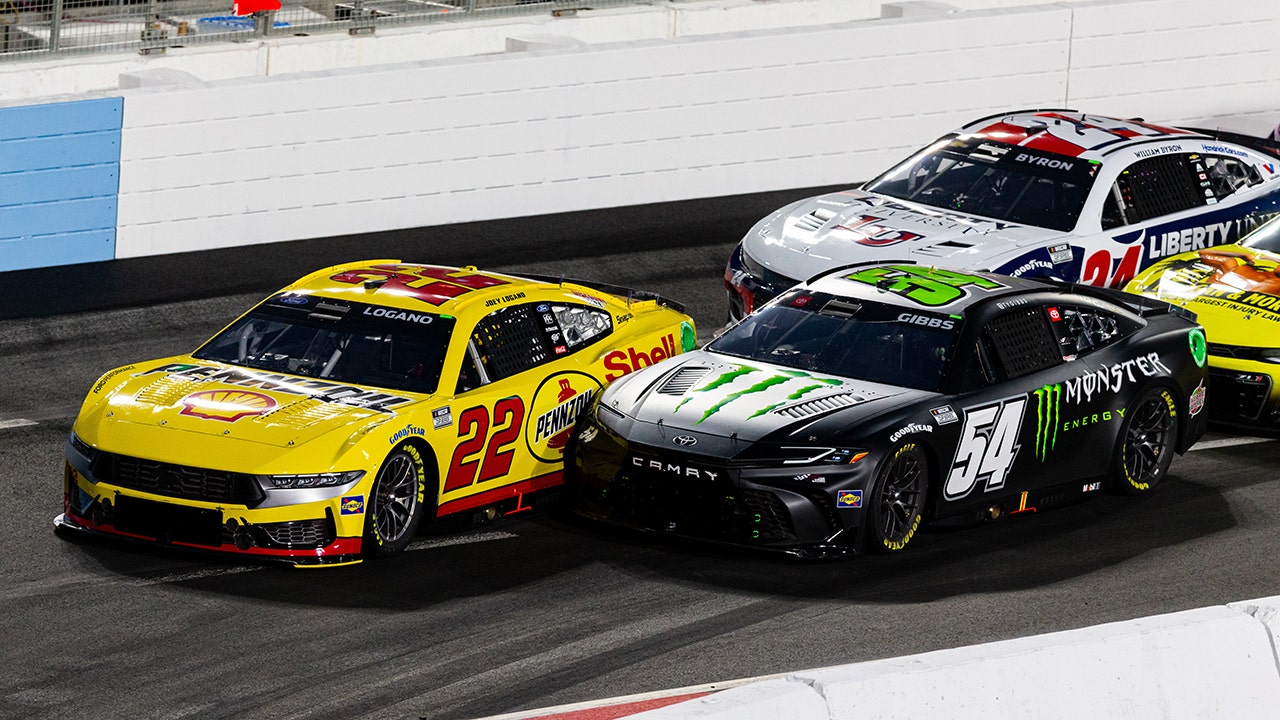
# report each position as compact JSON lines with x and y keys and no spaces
{"x":488,"y":445}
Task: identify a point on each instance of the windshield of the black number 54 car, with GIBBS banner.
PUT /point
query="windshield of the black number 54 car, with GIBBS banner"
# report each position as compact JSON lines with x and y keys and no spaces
{"x":838,"y":336}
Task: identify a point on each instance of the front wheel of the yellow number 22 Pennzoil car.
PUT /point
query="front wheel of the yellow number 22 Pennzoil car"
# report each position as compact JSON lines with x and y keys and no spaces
{"x":396,"y":503}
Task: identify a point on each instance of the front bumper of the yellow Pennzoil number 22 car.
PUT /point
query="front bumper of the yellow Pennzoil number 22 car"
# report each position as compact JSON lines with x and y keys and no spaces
{"x":305,"y":535}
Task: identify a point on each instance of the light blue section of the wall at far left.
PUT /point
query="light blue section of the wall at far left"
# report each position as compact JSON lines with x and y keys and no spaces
{"x":60,"y":183}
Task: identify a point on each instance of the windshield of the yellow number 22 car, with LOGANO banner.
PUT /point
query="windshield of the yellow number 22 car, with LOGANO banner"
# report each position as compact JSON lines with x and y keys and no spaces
{"x":349,"y":343}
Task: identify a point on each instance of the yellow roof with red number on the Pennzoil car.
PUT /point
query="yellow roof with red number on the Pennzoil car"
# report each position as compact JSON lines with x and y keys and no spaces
{"x":406,"y":285}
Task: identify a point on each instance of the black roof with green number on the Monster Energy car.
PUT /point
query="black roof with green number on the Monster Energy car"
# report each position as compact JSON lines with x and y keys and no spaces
{"x":922,"y":288}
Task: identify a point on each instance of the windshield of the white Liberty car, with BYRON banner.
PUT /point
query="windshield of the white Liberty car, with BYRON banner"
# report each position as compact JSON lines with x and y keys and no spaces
{"x":994,"y":180}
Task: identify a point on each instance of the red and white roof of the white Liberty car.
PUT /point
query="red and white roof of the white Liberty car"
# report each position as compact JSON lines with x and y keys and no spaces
{"x":1039,"y":130}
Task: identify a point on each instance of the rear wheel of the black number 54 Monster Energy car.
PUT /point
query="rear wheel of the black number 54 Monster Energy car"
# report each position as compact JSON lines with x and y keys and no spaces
{"x":1146,"y":444}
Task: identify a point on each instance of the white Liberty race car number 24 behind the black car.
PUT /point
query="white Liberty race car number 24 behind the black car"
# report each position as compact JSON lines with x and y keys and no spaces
{"x":1032,"y":194}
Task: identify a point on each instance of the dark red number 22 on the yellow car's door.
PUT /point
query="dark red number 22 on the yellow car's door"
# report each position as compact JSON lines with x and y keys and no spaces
{"x":509,"y":418}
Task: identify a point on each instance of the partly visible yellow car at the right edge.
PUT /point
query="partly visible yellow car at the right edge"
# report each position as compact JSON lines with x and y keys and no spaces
{"x":1236,"y":295}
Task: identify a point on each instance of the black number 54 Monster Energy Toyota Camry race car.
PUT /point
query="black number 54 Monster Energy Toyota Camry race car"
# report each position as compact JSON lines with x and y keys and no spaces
{"x":858,"y":405}
